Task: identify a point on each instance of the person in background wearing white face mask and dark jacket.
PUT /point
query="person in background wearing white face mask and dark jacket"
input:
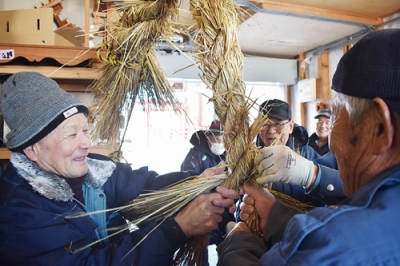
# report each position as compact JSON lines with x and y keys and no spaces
{"x":208,"y":149}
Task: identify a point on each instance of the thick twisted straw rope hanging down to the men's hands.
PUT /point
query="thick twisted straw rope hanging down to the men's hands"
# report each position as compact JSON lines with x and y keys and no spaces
{"x":221,"y":63}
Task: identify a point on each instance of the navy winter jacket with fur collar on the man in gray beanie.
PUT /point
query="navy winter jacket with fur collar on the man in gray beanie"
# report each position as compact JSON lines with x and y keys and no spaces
{"x":34,"y":229}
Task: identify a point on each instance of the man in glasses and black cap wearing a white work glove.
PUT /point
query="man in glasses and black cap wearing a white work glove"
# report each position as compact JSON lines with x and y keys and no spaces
{"x":311,"y":179}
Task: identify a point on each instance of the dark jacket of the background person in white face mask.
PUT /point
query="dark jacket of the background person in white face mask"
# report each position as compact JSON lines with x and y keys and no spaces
{"x":200,"y":156}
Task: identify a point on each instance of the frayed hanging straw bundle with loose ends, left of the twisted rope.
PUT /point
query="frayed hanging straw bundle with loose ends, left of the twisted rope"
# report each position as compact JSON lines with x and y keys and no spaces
{"x":131,"y":70}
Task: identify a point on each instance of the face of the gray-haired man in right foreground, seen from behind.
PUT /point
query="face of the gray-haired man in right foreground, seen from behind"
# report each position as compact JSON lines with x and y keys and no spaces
{"x":350,"y":145}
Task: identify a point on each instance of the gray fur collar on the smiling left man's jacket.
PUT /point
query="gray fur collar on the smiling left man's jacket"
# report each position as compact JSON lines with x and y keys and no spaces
{"x":54,"y":187}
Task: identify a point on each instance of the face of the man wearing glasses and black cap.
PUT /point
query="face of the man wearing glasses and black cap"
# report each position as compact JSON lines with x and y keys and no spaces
{"x":276,"y":131}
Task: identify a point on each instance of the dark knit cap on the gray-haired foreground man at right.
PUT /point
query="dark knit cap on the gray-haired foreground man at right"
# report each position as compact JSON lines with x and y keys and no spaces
{"x":372,"y":68}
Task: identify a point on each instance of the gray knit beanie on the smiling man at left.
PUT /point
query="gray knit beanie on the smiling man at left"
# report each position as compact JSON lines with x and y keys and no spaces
{"x":33,"y":106}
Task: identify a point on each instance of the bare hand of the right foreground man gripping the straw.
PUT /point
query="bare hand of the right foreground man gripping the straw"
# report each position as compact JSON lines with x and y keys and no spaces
{"x":256,"y":199}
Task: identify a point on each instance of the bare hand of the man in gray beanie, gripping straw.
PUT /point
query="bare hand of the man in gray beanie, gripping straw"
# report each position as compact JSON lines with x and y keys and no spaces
{"x":205,"y":212}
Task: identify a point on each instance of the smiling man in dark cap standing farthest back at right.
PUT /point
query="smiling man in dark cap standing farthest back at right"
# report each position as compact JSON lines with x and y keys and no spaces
{"x":319,"y":139}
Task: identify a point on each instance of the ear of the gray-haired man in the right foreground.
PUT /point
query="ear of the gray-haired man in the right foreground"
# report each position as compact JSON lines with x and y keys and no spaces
{"x":383,"y":128}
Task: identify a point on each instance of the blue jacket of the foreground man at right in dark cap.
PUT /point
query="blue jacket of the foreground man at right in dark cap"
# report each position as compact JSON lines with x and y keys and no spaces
{"x":362,"y":230}
